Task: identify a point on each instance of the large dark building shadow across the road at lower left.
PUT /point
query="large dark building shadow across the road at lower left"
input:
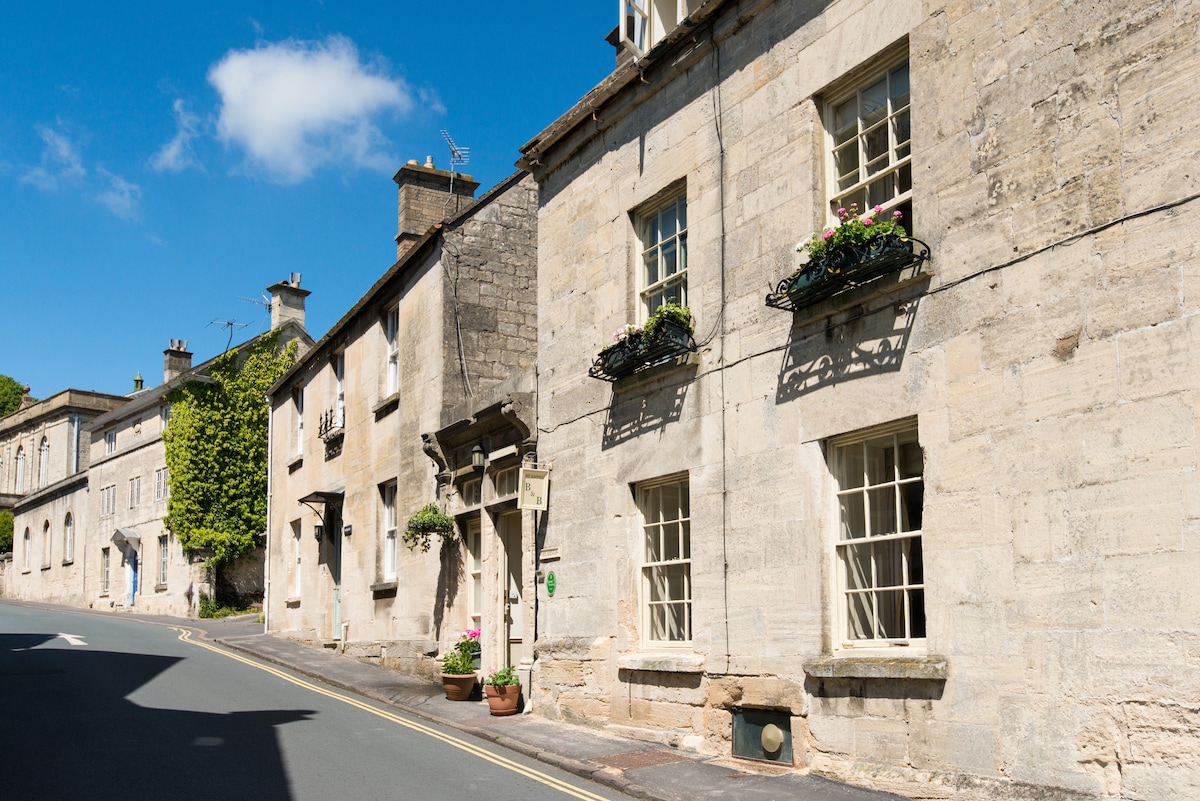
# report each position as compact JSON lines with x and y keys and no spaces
{"x":70,"y":732}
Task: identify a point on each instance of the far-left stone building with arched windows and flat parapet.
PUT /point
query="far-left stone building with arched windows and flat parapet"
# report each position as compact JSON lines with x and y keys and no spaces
{"x":44,"y":462}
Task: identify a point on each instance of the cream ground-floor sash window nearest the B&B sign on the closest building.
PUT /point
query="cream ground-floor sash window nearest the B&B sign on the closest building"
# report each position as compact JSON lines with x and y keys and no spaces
{"x":661,"y":523}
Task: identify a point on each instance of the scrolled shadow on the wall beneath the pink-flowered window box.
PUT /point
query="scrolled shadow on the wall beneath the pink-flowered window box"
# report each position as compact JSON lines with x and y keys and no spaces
{"x":865,"y":345}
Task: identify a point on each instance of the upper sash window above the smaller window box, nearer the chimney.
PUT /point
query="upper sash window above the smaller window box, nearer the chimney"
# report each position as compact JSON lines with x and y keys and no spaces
{"x":663,"y":233}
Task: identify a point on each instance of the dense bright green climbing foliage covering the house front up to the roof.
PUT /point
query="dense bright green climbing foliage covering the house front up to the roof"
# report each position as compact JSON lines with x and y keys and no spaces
{"x":217,"y":453}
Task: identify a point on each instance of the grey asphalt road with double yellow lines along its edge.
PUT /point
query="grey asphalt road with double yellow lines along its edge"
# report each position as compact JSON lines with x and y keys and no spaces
{"x":97,"y":708}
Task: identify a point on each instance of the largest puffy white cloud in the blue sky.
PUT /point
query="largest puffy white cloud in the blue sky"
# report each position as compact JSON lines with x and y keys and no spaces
{"x":298,"y":106}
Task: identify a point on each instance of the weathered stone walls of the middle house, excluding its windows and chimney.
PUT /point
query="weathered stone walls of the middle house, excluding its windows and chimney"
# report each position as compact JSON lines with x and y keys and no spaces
{"x":488,"y":261}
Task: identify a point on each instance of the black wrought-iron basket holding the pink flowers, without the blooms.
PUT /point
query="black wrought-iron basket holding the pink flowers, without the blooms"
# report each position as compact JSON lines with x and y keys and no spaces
{"x":848,"y":269}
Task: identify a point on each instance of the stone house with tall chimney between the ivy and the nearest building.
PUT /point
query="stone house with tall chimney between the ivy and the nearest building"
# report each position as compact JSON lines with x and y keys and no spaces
{"x":434,"y":363}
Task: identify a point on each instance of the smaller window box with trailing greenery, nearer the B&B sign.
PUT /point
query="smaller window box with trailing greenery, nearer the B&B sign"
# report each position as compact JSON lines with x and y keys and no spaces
{"x":635,"y":348}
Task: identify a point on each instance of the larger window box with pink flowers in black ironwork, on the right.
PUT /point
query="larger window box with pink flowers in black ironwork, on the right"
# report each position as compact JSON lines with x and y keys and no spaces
{"x":859,"y":250}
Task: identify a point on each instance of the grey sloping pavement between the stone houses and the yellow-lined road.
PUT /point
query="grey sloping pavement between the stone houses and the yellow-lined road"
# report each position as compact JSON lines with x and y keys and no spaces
{"x":640,"y":769}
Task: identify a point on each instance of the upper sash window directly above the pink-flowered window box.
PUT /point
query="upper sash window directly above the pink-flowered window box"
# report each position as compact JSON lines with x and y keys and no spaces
{"x":857,"y":184}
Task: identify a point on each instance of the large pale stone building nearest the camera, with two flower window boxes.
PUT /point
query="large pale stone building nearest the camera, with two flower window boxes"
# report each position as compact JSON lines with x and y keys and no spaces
{"x":928,"y":520}
